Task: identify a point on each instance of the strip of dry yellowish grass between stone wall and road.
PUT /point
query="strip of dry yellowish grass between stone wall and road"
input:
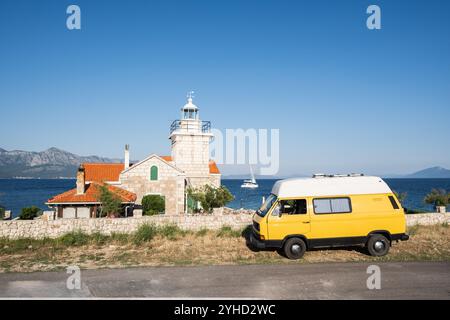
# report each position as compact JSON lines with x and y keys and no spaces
{"x":202,"y":248}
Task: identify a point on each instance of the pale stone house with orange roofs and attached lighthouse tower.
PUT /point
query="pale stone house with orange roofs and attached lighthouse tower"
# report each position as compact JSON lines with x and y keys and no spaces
{"x":188,"y":165}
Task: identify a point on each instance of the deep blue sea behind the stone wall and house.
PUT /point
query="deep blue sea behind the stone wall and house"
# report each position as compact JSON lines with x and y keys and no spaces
{"x":16,"y":194}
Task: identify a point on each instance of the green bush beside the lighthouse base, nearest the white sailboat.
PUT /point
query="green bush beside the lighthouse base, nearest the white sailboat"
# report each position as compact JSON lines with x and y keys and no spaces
{"x":210,"y":197}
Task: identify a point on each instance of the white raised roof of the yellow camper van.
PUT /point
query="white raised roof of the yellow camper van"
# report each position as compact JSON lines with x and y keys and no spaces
{"x":330,"y":186}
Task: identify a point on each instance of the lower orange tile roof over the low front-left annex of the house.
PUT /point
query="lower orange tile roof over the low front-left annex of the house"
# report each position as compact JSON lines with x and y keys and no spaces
{"x":91,"y":195}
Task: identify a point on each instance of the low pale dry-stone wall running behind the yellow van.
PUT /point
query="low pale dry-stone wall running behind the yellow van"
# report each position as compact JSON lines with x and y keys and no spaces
{"x":237,"y":219}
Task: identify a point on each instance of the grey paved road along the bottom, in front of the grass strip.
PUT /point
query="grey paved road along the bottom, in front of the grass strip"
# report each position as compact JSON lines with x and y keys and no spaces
{"x":413,"y":280}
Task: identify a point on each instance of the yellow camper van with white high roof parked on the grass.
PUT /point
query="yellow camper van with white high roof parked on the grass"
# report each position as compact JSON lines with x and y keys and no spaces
{"x":329,"y":211}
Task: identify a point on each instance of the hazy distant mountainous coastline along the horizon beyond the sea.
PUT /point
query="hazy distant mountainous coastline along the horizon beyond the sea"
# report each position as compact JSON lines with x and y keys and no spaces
{"x":55,"y":163}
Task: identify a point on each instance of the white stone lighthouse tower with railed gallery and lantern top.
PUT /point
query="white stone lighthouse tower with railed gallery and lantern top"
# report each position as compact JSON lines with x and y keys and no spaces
{"x":190,"y":138}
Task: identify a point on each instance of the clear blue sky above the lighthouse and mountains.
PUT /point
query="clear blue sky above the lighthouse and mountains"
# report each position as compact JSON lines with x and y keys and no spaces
{"x":345,"y":98}
